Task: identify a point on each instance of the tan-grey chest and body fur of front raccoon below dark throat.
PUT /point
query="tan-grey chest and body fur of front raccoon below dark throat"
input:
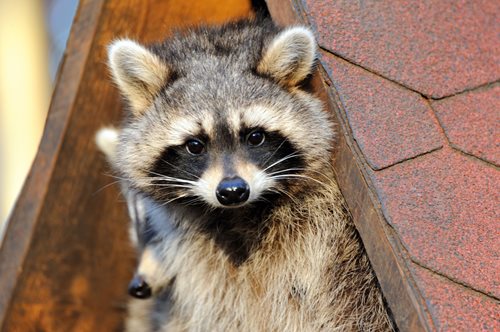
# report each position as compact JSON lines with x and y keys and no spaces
{"x":307,"y":273}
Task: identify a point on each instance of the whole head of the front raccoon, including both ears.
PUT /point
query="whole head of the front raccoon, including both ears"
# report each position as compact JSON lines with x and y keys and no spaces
{"x":220,"y":129}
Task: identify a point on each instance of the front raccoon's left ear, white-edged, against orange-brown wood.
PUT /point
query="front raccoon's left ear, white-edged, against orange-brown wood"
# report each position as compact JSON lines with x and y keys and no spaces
{"x":138,"y":72}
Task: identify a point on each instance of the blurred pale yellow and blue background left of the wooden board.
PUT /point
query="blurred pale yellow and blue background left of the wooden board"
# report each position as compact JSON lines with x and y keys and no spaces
{"x":33,"y":35}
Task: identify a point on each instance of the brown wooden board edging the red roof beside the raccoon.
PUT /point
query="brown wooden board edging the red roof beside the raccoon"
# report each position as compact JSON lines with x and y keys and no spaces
{"x":383,"y":247}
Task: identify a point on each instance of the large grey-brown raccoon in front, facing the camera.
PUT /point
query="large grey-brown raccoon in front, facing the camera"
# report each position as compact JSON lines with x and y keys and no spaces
{"x":229,"y":155}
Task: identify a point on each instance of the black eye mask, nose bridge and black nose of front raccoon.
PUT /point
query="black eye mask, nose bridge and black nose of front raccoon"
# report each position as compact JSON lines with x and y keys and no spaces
{"x":274,"y":154}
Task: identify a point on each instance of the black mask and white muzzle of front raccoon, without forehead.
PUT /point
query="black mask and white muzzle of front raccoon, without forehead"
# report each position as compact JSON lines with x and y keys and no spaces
{"x":229,"y":166}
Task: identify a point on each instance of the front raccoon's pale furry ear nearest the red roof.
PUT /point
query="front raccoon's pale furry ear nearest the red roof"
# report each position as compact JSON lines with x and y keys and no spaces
{"x":289,"y":58}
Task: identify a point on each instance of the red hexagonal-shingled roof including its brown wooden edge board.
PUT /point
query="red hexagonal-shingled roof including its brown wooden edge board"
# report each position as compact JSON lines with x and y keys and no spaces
{"x":414,"y":87}
